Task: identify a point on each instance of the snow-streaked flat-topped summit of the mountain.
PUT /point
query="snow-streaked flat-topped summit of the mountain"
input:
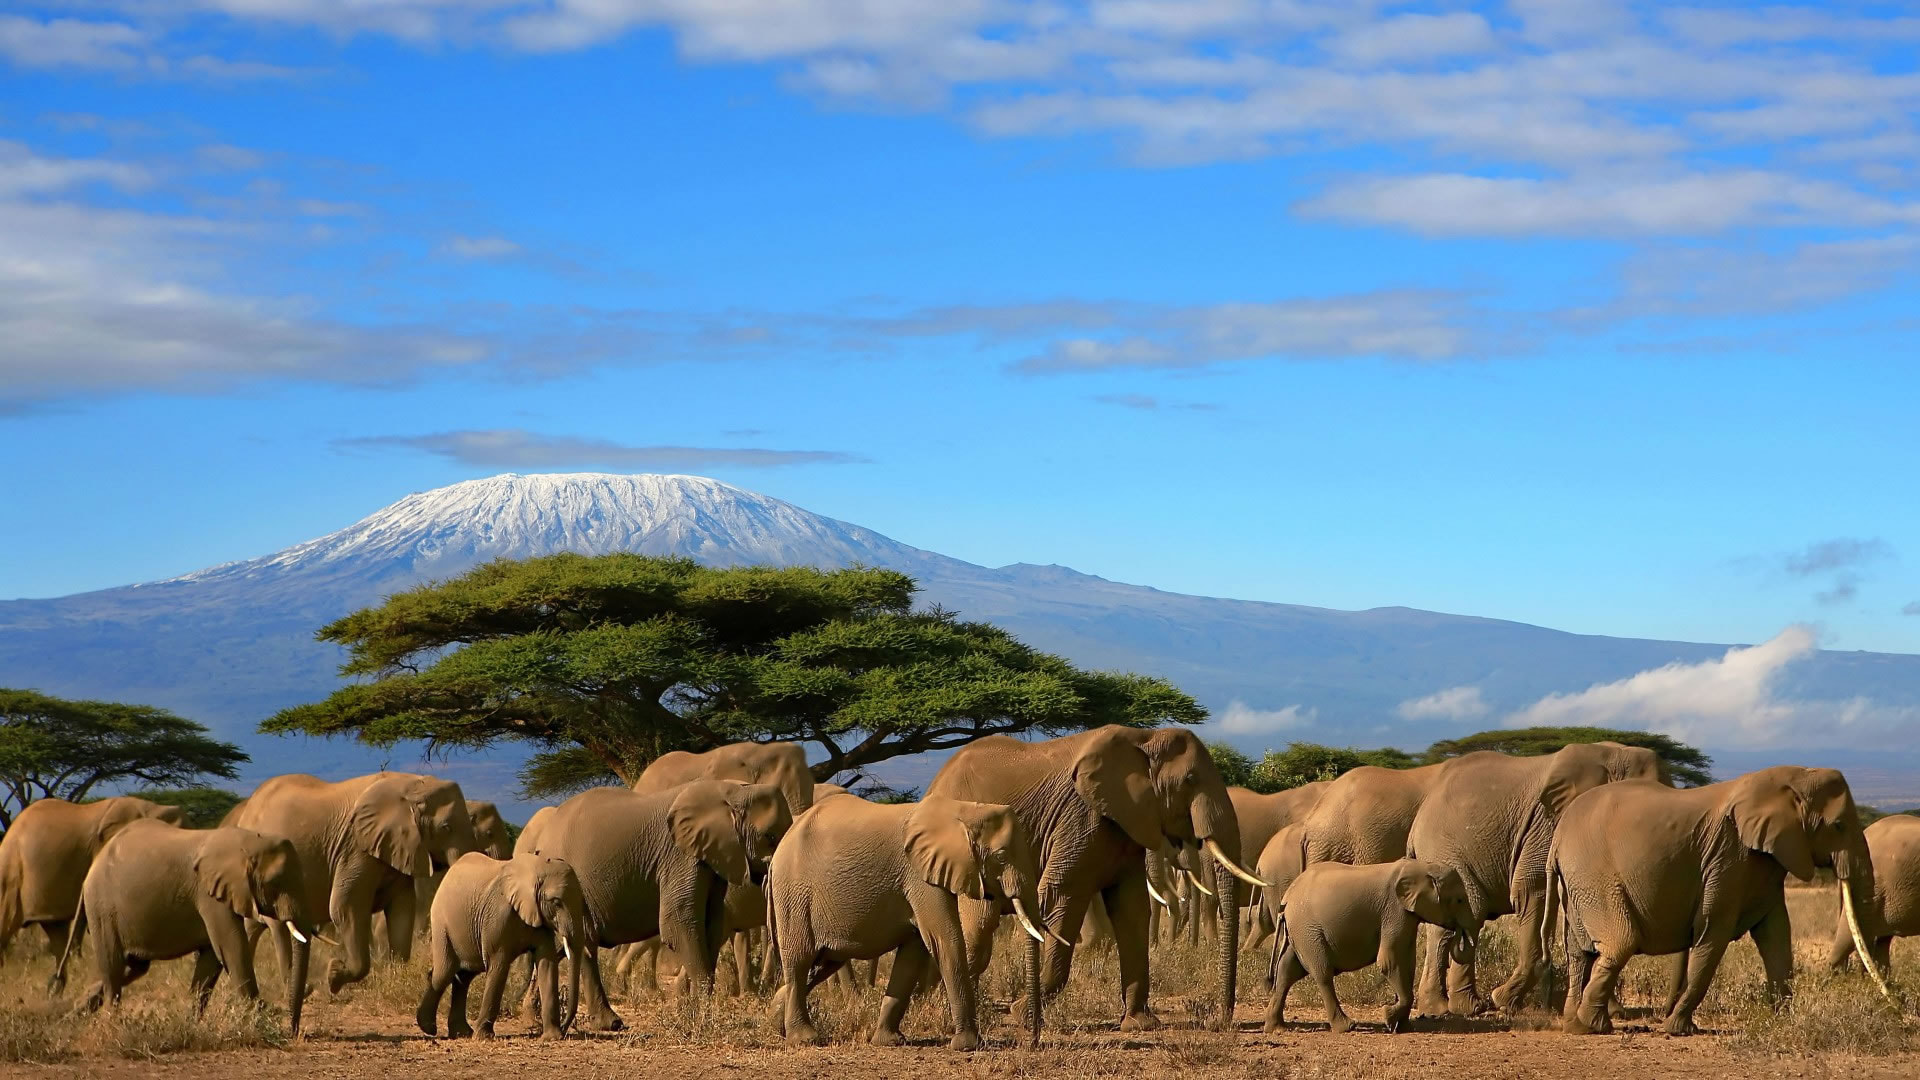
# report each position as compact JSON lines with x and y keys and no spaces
{"x":450,"y":529}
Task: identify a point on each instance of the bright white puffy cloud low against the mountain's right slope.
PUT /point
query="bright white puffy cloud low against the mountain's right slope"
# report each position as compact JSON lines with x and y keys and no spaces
{"x":1727,"y":702}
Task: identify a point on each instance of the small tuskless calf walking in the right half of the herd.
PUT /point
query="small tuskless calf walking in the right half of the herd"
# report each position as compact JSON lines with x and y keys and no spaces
{"x":1339,"y":920}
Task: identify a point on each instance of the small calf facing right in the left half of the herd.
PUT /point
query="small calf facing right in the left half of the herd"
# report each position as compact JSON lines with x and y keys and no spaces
{"x":489,"y":914}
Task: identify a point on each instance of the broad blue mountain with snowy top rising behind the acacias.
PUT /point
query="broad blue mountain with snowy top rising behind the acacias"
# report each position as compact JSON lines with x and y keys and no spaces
{"x":231,"y":645}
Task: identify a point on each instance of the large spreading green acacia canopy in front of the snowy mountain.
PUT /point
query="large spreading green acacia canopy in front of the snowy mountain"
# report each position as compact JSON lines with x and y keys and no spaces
{"x":608,"y":662}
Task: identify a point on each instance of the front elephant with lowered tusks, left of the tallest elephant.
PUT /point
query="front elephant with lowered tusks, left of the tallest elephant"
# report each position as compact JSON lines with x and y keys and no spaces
{"x":857,"y":881}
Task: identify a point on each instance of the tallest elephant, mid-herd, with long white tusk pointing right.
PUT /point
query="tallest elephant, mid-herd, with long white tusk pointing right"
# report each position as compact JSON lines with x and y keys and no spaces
{"x":1095,"y":804}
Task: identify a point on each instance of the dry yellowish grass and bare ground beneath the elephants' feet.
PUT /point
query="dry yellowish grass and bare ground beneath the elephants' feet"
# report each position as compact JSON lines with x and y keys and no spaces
{"x":1833,"y":1019}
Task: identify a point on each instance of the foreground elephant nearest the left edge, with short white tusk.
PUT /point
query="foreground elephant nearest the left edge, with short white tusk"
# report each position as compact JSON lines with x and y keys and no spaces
{"x":158,"y":893}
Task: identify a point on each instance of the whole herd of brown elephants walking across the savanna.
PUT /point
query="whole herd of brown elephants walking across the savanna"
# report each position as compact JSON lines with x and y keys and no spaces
{"x":1109,"y":827}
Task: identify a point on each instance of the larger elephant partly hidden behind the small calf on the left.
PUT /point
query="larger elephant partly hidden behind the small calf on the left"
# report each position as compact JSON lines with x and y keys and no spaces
{"x":661,"y":864}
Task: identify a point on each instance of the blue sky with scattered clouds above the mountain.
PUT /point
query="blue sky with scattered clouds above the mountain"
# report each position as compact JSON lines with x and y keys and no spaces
{"x":1585,"y":314}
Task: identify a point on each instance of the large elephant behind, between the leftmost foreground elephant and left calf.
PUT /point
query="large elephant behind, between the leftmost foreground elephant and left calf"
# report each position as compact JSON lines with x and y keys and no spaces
{"x":362,"y":845}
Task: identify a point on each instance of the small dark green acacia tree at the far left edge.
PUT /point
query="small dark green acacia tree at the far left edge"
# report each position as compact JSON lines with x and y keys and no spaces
{"x":57,"y":749}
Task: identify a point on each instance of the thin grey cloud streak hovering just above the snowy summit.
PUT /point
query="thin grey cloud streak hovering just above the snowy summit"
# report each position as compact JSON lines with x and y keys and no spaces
{"x":533,"y":451}
